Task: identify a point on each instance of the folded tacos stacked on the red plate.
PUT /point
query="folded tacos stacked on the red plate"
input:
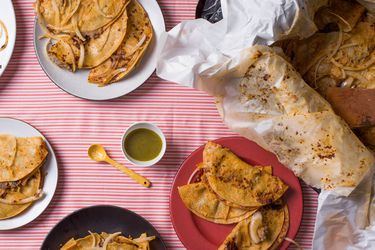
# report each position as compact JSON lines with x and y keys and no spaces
{"x":228,"y":190}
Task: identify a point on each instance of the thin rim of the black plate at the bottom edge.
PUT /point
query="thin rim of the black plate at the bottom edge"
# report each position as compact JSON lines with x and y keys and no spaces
{"x":103,"y":206}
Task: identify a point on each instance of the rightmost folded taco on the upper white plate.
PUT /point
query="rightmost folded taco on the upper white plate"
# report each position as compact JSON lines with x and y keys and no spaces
{"x":129,"y":54}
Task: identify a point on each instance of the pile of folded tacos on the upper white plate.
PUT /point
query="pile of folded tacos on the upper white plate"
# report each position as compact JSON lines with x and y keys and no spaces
{"x":107,"y":36}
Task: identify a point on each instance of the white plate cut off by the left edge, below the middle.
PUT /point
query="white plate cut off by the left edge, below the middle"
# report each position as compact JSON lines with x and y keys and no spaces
{"x":22,"y":129}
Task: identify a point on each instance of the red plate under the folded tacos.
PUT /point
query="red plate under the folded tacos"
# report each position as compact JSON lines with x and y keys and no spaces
{"x":197,"y":233}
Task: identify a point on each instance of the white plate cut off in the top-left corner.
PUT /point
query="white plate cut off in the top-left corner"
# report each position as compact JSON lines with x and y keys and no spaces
{"x":9,"y":19}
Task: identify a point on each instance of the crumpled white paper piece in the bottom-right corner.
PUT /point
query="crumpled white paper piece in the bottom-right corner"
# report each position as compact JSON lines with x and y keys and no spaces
{"x":347,"y":222}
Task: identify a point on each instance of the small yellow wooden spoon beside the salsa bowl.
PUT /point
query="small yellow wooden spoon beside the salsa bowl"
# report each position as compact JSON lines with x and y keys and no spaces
{"x":97,"y":153}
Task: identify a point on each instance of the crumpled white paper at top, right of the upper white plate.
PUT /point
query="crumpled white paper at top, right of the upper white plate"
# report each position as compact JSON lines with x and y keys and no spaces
{"x":196,"y":45}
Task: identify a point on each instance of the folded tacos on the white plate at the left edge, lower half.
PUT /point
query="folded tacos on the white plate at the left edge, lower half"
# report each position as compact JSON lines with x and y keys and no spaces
{"x":21,"y":177}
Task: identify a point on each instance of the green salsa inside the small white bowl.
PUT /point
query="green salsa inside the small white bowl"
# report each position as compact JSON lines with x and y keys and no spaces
{"x":143,"y":144}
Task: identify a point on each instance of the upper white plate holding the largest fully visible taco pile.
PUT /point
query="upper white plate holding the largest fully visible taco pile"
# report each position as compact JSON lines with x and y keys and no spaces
{"x":77,"y":84}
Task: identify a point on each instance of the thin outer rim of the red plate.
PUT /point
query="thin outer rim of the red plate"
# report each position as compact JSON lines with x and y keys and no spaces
{"x":218,"y":140}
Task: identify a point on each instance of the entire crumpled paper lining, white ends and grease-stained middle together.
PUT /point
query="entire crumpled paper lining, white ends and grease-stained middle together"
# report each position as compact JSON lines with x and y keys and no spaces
{"x":260,"y":96}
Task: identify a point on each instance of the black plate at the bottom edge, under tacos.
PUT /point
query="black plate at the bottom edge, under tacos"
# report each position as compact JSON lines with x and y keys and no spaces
{"x":102,"y":218}
